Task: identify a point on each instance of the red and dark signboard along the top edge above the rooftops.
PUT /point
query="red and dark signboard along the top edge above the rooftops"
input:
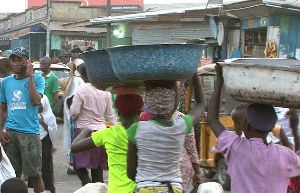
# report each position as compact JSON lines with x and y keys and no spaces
{"x":117,"y":5}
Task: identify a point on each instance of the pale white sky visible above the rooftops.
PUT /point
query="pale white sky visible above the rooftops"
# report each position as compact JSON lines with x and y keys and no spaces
{"x":15,"y":6}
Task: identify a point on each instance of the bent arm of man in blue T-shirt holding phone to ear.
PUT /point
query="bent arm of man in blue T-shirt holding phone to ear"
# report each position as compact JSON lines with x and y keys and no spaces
{"x":34,"y":95}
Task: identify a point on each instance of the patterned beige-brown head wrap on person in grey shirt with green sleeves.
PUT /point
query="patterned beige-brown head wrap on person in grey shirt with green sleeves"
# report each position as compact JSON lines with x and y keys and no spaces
{"x":160,"y":100}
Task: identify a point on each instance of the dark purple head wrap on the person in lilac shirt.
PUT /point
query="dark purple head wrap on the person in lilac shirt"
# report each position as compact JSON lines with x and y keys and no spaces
{"x":261,"y":116}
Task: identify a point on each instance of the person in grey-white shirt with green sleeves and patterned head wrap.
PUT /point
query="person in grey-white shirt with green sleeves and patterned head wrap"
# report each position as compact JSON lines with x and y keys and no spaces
{"x":155,"y":146}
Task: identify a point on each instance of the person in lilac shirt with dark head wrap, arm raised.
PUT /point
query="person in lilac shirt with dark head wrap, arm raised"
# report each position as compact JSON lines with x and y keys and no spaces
{"x":254,"y":165}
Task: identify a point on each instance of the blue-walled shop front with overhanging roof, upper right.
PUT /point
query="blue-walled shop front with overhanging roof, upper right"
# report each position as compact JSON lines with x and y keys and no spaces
{"x":268,"y":28}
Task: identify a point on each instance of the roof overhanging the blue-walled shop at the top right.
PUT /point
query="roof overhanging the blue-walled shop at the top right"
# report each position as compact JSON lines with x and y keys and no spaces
{"x":260,"y":8}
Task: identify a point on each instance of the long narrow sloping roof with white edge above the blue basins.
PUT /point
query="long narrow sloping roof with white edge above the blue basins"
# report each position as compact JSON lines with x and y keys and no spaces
{"x":183,"y":15}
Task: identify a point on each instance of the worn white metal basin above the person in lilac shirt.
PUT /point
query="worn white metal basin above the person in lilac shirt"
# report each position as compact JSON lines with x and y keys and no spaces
{"x":270,"y":81}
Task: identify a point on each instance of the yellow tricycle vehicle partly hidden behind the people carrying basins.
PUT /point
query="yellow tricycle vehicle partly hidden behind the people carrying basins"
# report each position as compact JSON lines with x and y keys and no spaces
{"x":211,"y":160}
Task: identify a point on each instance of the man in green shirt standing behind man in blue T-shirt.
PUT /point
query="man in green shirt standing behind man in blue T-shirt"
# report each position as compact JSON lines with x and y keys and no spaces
{"x":51,"y":84}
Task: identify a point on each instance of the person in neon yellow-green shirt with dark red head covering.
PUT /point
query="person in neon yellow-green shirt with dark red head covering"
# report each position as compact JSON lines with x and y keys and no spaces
{"x":115,"y":140}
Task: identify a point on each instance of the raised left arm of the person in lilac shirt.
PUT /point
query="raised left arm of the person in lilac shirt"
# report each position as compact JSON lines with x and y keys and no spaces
{"x":213,"y":109}
